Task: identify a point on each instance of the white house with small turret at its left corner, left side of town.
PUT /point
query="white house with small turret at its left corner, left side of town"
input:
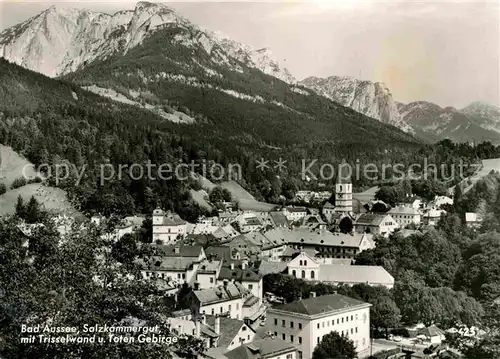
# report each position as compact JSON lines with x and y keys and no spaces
{"x":167,"y":227}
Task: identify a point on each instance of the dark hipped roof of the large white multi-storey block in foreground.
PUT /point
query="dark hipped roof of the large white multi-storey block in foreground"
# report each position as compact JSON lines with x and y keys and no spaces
{"x":321,"y":305}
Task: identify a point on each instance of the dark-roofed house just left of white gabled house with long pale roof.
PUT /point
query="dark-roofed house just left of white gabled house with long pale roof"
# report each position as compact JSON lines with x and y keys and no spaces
{"x":244,"y":275}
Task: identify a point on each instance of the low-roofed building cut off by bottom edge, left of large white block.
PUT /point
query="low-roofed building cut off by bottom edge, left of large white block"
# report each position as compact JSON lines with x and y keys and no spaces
{"x":266,"y":348}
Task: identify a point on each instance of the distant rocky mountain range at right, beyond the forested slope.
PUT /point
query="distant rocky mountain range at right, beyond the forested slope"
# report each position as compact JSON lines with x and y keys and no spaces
{"x":427,"y":121}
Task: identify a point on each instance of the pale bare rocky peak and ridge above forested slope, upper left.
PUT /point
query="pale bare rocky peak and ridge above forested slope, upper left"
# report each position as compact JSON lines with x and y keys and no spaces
{"x":61,"y":40}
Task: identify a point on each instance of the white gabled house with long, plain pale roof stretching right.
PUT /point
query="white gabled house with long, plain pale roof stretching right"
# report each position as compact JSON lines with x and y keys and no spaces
{"x":306,"y":267}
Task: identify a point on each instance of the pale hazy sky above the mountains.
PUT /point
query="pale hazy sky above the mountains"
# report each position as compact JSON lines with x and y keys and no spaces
{"x":440,"y":51}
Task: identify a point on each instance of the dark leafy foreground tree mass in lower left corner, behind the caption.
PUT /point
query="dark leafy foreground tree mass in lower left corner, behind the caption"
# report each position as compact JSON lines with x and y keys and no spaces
{"x":71,"y":283}
